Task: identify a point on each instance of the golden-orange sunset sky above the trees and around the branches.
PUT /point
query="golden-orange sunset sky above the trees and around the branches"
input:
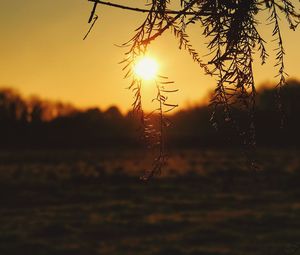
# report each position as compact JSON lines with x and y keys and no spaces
{"x":42,"y":53}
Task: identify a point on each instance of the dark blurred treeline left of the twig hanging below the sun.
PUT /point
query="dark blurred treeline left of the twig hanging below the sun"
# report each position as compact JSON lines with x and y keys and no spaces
{"x":38,"y":123}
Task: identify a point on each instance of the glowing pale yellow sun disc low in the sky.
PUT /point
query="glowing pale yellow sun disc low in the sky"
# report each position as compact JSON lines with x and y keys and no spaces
{"x":146,"y":68}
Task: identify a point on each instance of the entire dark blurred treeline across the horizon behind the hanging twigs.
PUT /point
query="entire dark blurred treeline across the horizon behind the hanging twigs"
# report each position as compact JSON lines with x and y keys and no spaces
{"x":37,"y":123}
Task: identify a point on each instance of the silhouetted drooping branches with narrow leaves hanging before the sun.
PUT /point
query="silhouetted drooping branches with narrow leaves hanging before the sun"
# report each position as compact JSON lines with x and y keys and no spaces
{"x":231,"y":26}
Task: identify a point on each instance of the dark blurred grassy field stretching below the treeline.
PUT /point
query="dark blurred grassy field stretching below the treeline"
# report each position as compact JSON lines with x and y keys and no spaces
{"x":92,"y":202}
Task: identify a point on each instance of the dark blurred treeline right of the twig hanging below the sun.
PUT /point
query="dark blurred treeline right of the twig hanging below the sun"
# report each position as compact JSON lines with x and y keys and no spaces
{"x":277,"y":122}
